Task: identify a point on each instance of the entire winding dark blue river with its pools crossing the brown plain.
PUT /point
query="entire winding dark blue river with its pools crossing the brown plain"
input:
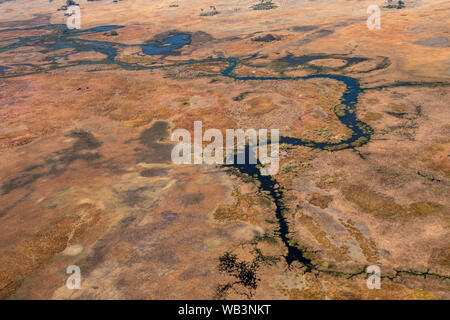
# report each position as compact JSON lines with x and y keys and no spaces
{"x":62,"y":38}
